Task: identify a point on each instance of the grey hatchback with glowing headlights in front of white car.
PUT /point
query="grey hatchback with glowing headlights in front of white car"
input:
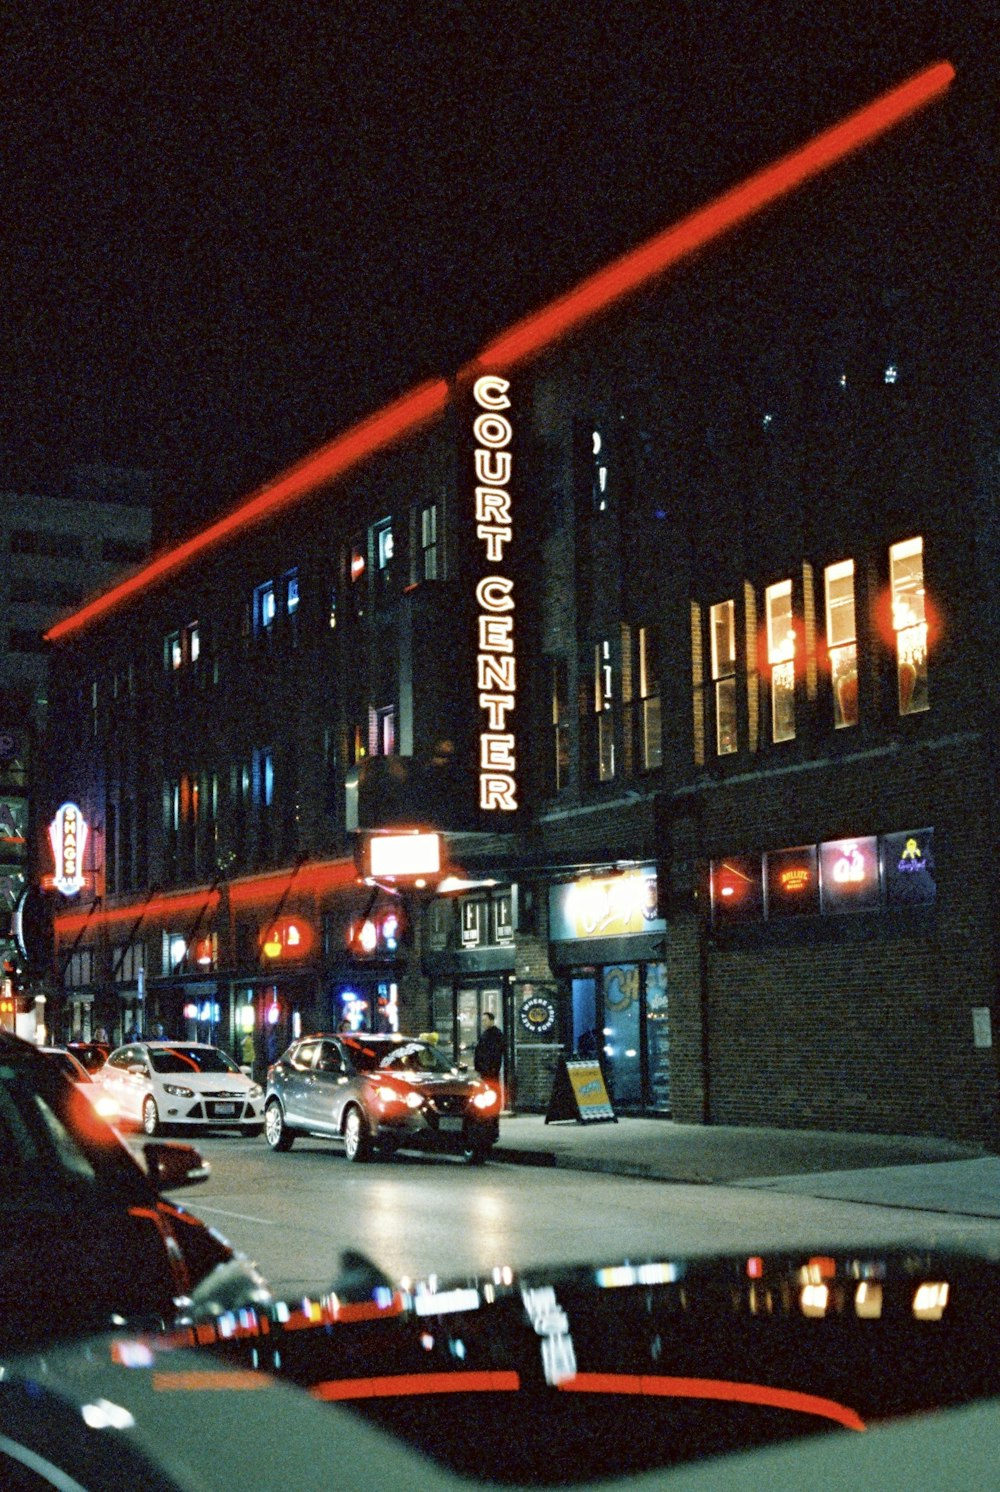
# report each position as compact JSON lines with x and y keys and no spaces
{"x":380,"y":1093}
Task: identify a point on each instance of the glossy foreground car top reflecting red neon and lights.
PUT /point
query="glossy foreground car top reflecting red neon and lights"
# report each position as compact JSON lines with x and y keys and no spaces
{"x":659,"y":1373}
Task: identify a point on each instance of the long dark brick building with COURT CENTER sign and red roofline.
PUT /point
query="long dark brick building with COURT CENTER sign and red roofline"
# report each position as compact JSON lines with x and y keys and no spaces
{"x":675,"y":621}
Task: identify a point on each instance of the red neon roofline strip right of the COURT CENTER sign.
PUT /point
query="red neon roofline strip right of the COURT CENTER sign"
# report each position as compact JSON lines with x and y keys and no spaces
{"x":543,"y":329}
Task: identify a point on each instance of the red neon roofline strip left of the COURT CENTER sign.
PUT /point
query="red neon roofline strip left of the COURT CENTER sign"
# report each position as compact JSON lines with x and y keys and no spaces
{"x":334,"y":460}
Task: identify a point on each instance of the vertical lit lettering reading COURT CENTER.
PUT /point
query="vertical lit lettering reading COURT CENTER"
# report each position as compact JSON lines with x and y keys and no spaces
{"x":496,"y":674}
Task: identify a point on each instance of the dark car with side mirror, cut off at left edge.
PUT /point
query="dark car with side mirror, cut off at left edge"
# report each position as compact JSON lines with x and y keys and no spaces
{"x":86,"y":1236}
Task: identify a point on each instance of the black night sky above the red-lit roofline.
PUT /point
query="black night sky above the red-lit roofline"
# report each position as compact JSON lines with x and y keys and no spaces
{"x":231,"y":231}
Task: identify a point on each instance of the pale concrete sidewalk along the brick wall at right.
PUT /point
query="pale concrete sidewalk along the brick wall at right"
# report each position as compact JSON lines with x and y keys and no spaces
{"x":889,"y":1170}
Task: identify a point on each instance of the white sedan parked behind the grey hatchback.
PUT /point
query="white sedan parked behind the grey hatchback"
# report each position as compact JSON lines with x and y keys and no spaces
{"x":186,"y":1084}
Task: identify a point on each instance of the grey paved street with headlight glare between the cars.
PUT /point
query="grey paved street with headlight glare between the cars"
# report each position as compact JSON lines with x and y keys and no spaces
{"x":293,"y":1214}
